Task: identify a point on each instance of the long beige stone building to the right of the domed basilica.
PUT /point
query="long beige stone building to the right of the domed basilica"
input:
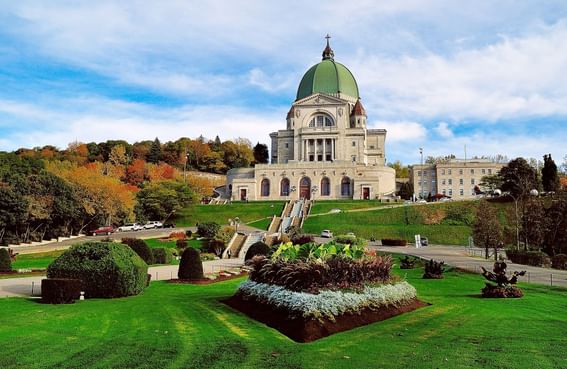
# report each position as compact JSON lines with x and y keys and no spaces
{"x":455,"y":178}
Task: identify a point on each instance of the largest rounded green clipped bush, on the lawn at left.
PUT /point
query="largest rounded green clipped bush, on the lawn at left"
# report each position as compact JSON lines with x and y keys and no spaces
{"x":106,"y":269}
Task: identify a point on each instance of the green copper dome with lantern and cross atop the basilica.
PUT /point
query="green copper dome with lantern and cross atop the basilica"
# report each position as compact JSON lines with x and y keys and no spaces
{"x":328,"y":77}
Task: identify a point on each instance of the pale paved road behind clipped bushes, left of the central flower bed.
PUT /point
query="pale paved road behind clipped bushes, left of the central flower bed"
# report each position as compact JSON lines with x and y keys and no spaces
{"x":31,"y":286}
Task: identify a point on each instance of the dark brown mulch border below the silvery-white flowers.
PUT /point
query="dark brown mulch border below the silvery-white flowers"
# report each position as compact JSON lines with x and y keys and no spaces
{"x":302,"y":329}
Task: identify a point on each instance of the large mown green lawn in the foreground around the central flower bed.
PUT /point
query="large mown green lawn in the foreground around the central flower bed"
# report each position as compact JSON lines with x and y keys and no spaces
{"x":186,"y":326}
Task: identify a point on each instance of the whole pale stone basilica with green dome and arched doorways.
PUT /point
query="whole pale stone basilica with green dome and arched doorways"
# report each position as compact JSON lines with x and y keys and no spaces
{"x":325,"y":151}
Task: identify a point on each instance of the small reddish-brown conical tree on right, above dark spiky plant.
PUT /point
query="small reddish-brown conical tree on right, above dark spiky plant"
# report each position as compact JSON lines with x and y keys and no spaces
{"x":487,"y":230}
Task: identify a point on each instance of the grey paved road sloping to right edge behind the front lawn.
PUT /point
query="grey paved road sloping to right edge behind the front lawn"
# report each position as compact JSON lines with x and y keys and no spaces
{"x":457,"y":256}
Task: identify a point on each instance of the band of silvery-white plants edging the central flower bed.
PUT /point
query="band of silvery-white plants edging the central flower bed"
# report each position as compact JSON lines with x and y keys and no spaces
{"x":327,"y":304}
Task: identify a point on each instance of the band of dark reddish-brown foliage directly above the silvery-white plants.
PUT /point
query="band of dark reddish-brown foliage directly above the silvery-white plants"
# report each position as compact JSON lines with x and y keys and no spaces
{"x":315,"y":275}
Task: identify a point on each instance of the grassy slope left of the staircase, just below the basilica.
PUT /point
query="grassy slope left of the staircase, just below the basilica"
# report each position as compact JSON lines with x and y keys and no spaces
{"x":247,"y":212}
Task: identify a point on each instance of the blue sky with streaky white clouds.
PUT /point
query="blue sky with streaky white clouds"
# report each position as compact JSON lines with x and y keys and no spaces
{"x":436,"y":74}
